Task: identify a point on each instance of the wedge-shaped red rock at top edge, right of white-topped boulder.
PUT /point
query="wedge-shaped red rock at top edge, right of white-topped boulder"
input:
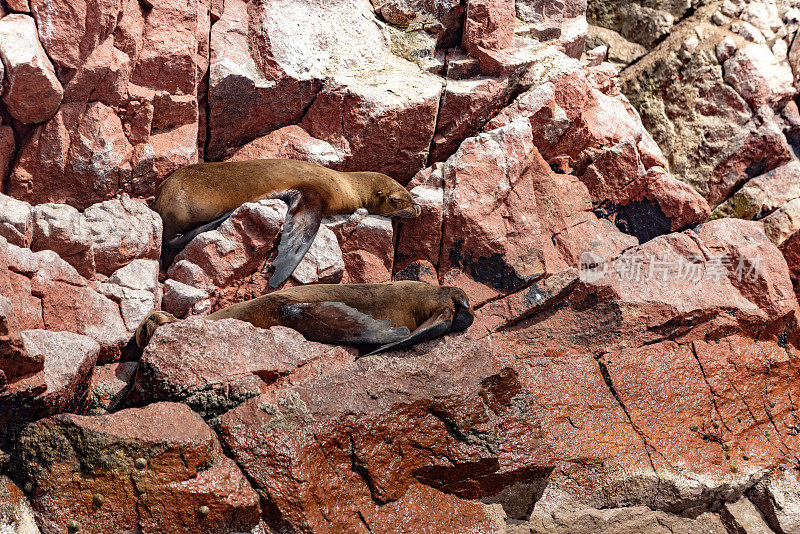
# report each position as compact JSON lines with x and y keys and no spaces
{"x":70,"y":31}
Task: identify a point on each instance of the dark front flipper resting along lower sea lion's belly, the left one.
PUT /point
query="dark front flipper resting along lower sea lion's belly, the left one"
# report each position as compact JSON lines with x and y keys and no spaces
{"x":335,"y":322}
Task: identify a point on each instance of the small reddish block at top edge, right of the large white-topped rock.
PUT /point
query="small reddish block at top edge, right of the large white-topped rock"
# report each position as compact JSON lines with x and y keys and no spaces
{"x":489,"y":25}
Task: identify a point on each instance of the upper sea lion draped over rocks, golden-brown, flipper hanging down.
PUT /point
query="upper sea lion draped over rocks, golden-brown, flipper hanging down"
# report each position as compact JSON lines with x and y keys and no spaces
{"x":199,"y":197}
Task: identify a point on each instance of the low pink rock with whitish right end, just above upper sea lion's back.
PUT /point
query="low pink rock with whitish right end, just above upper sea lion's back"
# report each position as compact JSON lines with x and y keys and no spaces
{"x":290,"y":142}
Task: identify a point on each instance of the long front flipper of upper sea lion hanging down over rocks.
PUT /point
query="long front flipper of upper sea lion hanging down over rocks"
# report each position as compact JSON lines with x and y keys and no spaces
{"x":299,"y":229}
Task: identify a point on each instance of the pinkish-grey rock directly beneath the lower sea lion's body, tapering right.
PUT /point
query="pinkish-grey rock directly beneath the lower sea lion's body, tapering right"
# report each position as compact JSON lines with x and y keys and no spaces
{"x":191,"y":362}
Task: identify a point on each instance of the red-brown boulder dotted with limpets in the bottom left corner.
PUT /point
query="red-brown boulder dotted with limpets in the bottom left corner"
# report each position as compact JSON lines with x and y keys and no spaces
{"x":164,"y":450}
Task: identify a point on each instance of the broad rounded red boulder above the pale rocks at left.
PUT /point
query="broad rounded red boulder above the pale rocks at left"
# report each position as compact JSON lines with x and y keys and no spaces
{"x":84,"y":152}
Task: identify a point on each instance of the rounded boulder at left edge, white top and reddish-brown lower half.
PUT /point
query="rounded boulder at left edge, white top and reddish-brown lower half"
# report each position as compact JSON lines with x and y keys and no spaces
{"x":32,"y":92}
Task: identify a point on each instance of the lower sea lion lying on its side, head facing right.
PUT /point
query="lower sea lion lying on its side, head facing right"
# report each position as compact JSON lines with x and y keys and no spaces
{"x":389,"y":316}
